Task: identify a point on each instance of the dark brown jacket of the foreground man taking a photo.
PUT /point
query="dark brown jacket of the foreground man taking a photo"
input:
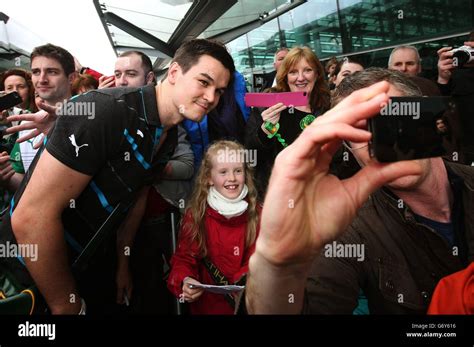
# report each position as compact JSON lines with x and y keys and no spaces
{"x":403,"y":259}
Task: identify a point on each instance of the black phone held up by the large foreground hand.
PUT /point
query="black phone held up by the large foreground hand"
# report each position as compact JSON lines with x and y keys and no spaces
{"x":415,"y":127}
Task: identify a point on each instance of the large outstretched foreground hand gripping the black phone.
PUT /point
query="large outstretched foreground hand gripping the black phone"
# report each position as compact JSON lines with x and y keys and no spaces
{"x":305,"y":206}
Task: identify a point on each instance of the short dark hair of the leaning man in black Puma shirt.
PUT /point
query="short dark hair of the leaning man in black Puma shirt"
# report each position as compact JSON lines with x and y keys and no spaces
{"x":189,"y":53}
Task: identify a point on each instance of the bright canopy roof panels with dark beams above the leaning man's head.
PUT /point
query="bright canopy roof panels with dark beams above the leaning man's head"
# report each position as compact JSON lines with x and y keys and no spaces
{"x":173,"y":21}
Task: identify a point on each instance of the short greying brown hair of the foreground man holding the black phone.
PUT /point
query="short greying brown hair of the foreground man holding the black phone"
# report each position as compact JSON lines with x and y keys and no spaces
{"x":370,"y":76}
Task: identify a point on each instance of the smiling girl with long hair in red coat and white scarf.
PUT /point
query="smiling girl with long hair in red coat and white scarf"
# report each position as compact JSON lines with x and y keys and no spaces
{"x":218,"y":231}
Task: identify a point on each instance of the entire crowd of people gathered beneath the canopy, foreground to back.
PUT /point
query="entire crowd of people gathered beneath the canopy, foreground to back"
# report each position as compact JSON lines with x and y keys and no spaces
{"x":125,"y":157}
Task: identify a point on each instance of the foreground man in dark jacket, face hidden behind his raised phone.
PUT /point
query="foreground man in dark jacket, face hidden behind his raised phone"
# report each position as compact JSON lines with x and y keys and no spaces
{"x":413,"y":231}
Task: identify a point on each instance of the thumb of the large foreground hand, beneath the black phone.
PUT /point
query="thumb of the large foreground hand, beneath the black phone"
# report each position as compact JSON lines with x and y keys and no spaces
{"x":375,"y":175}
